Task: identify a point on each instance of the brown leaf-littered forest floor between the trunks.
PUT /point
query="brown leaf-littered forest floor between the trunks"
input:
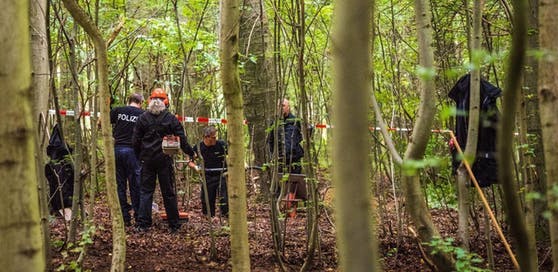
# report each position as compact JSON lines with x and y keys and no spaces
{"x":189,"y":249}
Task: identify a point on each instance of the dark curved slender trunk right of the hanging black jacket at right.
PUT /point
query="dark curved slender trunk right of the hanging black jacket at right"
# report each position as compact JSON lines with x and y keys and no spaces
{"x":527,"y":260}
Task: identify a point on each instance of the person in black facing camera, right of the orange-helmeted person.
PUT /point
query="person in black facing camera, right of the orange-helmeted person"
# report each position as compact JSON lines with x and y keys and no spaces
{"x":213,"y":152}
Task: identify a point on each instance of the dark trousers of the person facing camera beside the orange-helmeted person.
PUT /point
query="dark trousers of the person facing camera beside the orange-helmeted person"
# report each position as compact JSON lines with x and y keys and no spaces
{"x":216,"y":186}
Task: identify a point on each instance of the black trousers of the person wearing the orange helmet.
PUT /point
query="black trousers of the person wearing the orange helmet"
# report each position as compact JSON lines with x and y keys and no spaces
{"x":161,"y":169}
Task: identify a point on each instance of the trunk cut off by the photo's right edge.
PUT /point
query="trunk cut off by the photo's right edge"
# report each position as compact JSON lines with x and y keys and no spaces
{"x":548,"y":99}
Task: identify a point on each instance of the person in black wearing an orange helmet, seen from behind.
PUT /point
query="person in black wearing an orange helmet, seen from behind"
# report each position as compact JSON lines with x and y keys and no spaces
{"x":149,"y":131}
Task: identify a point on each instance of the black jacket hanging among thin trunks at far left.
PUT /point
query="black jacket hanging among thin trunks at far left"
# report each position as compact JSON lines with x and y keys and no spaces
{"x":59,"y":172}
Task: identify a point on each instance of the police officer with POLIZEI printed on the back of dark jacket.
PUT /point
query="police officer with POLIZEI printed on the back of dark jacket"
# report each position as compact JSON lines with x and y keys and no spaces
{"x":128,"y":168}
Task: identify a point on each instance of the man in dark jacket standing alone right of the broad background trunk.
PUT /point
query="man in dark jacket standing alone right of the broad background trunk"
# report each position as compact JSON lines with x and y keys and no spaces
{"x":289,"y":137}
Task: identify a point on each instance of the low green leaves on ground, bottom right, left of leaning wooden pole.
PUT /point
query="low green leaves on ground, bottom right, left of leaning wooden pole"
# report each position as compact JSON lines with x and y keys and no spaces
{"x":465,"y":261}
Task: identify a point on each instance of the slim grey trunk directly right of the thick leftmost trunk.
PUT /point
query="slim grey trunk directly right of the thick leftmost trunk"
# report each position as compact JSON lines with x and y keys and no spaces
{"x":40,"y":80}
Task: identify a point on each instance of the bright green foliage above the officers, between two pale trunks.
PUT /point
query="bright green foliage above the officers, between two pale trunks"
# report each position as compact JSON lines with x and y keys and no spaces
{"x":151,"y":43}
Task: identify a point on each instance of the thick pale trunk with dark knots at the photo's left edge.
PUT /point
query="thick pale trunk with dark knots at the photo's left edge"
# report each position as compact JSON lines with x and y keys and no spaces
{"x":20,"y":236}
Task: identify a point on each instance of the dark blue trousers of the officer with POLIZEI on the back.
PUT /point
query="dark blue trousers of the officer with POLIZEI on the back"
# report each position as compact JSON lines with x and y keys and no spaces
{"x":128,"y":174}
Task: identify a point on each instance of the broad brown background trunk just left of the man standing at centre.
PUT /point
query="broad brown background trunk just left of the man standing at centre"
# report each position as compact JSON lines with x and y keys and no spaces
{"x":257,"y":80}
